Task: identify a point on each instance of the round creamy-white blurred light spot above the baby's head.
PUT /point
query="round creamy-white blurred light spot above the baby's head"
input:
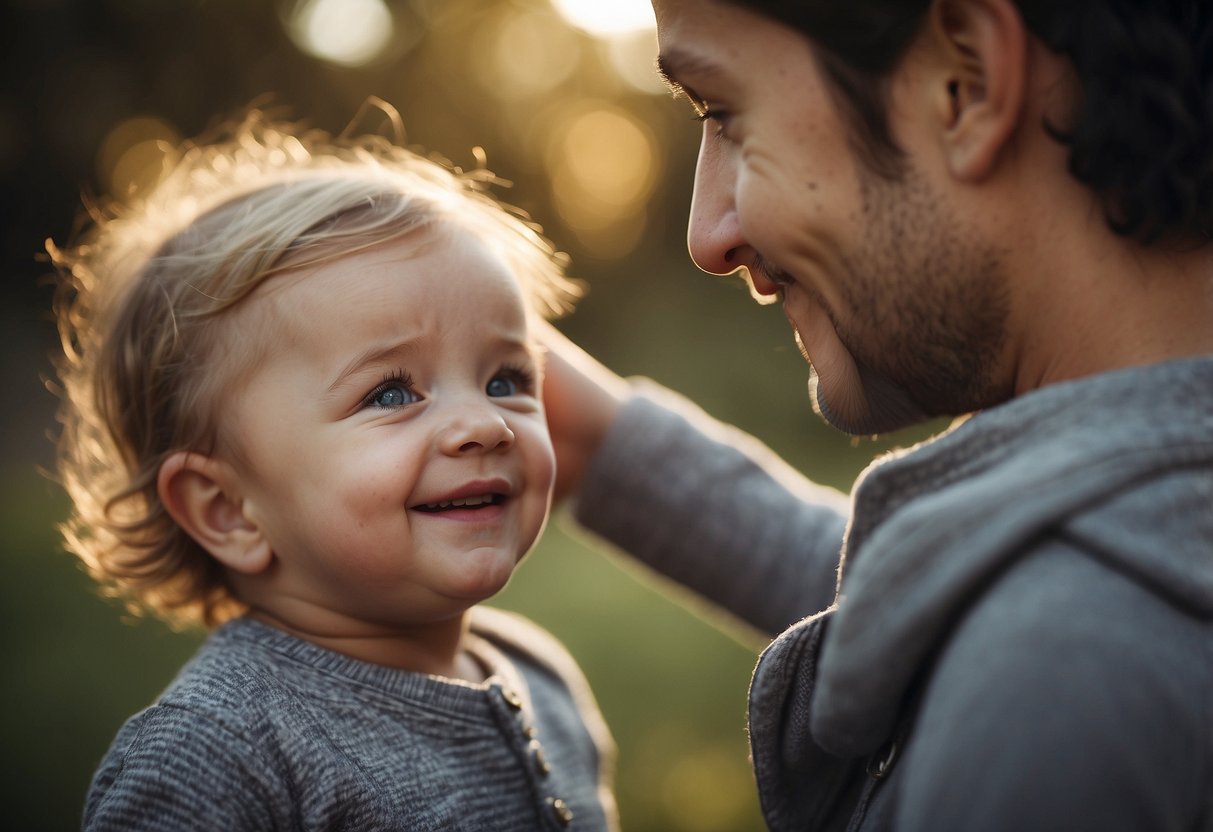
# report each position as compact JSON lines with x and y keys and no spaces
{"x":350,"y":33}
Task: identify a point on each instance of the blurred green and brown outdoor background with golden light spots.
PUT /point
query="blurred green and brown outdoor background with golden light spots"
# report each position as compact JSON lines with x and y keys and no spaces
{"x":563,"y":100}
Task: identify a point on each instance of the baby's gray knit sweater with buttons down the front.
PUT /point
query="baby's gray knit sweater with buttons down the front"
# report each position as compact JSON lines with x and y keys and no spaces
{"x":263,"y":731}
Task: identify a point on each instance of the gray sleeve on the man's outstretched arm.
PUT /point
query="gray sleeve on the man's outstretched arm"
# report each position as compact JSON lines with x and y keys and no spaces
{"x":716,"y":511}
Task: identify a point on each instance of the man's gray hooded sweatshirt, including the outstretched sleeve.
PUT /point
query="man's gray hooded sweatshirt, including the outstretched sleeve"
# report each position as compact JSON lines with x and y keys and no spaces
{"x":1022,"y":637}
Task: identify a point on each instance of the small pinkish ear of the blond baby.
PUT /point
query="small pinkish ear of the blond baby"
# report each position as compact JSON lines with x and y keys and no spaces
{"x":203,"y":495}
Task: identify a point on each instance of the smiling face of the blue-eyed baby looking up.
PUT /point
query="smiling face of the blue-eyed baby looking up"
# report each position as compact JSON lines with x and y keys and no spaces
{"x":394,"y":447}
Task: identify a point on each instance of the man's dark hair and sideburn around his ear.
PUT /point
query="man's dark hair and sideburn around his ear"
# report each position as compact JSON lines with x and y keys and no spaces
{"x":1142,"y":132}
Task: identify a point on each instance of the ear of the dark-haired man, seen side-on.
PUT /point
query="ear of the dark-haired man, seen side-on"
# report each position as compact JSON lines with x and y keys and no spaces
{"x":983,"y":47}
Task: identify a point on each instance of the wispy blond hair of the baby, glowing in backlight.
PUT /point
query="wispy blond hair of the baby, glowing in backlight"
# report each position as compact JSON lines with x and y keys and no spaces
{"x":141,"y":310}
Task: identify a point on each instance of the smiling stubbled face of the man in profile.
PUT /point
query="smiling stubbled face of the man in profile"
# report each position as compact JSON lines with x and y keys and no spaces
{"x":898,"y":305}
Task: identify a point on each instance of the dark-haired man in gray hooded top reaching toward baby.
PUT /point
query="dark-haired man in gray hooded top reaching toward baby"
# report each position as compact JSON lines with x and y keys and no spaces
{"x":965,"y":206}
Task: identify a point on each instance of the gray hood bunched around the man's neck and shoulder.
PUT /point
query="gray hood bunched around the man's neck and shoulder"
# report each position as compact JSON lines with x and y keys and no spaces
{"x":1121,"y":463}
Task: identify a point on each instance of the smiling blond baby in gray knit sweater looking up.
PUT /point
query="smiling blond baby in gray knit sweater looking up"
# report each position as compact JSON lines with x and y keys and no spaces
{"x":303,"y":408}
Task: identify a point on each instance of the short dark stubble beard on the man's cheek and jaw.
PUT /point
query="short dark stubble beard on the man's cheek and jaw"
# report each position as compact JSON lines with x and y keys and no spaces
{"x":930,"y":307}
